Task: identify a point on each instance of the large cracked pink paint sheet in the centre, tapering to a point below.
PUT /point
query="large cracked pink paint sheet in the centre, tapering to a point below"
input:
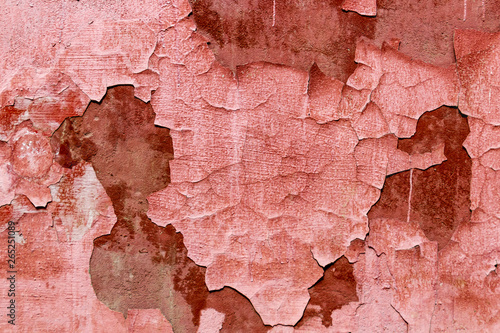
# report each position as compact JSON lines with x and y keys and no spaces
{"x":306,"y":187}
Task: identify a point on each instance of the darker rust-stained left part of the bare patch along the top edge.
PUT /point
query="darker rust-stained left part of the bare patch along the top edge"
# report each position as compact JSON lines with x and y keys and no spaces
{"x":304,"y":32}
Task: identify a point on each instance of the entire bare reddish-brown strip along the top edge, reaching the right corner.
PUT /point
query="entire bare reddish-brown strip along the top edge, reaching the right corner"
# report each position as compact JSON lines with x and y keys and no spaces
{"x":242,"y":32}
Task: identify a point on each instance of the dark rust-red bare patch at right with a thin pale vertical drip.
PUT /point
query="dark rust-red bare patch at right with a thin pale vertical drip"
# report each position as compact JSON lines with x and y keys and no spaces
{"x":441,"y":194}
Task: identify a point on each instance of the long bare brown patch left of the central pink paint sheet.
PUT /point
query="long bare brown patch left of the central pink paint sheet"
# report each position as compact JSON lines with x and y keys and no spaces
{"x":140,"y":264}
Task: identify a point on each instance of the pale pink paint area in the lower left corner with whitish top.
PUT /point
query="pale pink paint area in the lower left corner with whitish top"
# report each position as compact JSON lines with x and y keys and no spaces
{"x":53,"y":290}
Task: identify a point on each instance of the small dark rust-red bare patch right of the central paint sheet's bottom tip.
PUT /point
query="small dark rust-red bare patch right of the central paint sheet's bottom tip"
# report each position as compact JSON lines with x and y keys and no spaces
{"x":335,"y":289}
